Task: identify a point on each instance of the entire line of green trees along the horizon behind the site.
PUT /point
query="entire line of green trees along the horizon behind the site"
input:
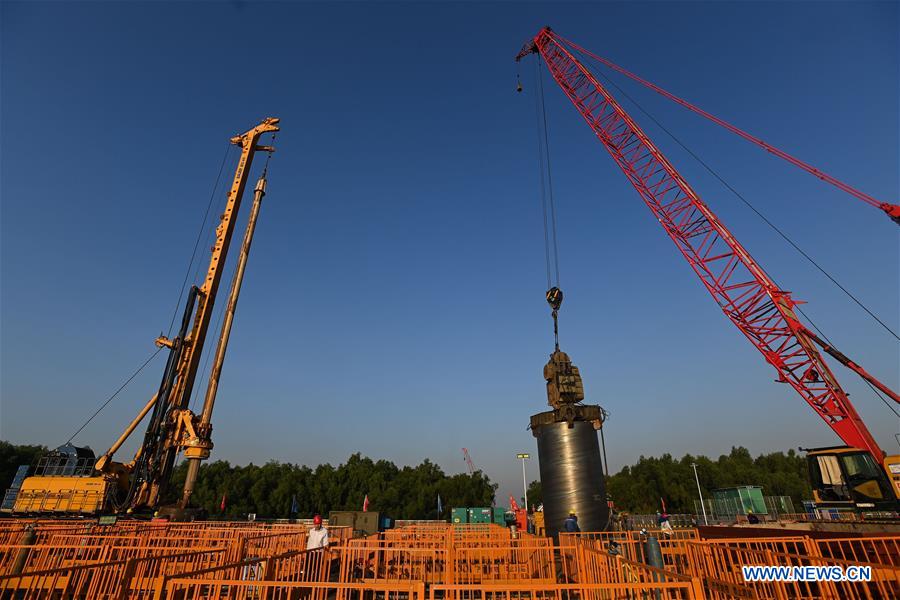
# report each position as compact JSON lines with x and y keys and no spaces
{"x":411,"y":492}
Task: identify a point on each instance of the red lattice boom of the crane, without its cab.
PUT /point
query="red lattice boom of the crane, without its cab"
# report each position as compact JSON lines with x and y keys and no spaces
{"x":746,"y":294}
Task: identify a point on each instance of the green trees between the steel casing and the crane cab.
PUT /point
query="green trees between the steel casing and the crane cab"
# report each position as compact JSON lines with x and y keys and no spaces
{"x":638,"y":488}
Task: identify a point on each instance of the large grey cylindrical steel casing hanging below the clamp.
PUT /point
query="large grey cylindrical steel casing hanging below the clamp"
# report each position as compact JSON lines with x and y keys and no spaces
{"x":571,"y":476}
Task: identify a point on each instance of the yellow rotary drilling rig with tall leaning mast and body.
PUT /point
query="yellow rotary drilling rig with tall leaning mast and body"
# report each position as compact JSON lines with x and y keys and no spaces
{"x":142,"y":483}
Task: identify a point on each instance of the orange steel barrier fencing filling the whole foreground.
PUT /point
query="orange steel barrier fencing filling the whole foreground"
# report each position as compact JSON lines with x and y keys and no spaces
{"x":452,"y":562}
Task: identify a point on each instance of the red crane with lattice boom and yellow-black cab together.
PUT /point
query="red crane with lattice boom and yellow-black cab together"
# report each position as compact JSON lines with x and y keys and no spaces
{"x":746,"y":294}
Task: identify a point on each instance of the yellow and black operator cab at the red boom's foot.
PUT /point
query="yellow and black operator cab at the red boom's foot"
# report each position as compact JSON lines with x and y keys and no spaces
{"x":849,"y":479}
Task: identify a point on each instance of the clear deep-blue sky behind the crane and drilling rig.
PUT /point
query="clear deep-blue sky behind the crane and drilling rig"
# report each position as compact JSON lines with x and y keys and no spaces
{"x":393,"y":304}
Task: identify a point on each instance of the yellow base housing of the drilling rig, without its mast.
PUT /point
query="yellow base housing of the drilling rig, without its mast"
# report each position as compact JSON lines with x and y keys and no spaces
{"x":62,"y":494}
